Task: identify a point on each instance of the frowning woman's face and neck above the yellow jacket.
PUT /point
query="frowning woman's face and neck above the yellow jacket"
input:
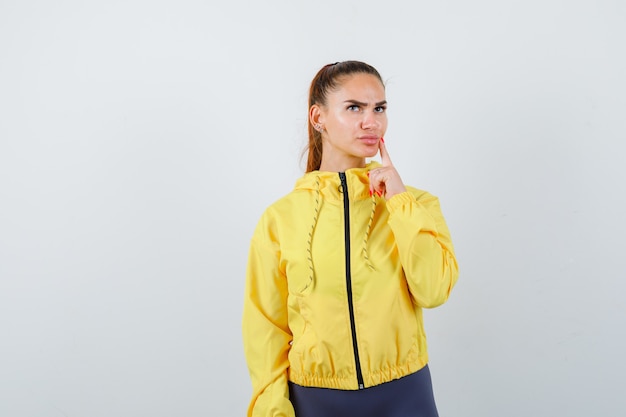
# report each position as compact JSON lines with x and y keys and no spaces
{"x":354,"y":119}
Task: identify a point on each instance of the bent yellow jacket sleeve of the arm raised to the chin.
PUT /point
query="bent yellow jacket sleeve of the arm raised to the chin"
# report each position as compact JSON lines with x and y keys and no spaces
{"x":424,"y":246}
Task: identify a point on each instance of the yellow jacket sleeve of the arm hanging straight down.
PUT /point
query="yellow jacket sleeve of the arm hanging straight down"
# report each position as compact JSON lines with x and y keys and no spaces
{"x":266,"y":335}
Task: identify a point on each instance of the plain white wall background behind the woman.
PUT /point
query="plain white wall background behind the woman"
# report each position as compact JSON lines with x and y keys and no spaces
{"x":141,"y":140}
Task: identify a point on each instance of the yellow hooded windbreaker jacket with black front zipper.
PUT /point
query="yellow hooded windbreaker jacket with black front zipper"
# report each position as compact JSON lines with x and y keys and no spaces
{"x":335,"y":287}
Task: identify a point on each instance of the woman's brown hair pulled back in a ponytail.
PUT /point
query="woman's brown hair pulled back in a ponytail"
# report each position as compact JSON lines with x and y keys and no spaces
{"x":328,"y":79}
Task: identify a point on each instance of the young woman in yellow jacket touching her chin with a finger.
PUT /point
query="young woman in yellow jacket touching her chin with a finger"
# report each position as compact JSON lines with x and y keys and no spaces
{"x":340,"y":269}
